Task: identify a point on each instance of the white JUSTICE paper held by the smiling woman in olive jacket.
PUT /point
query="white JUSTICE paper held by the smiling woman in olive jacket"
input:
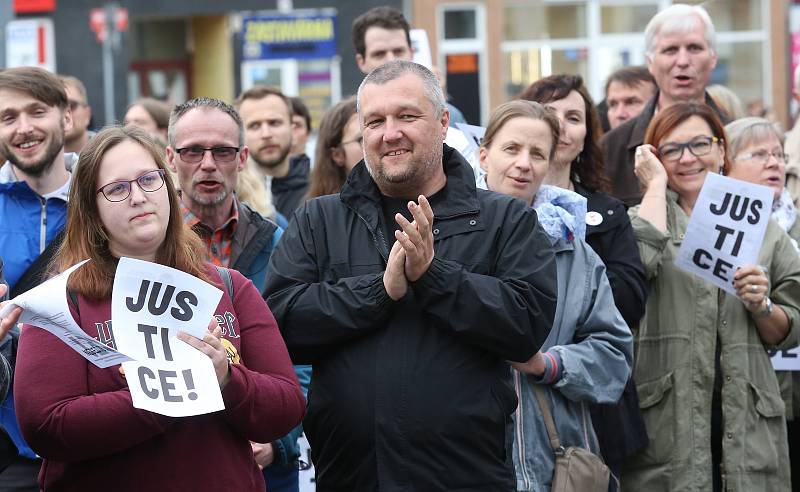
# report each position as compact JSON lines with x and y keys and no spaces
{"x":726,"y":229}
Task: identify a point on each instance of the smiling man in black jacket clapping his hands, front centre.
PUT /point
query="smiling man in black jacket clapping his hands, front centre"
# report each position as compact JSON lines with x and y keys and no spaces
{"x":408,"y":292}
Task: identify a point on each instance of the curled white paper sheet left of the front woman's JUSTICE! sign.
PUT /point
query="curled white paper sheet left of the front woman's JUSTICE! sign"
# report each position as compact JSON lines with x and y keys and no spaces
{"x":45,"y":306}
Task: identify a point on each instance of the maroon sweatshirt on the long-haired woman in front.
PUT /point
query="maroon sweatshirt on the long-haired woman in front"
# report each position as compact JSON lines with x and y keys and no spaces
{"x":80,"y":418}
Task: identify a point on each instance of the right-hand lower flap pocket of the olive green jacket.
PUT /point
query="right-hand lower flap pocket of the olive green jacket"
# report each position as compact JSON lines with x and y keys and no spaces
{"x":765,"y":435}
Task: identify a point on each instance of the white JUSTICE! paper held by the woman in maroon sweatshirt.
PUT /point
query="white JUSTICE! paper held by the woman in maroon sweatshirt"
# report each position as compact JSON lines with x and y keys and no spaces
{"x":149,"y":305}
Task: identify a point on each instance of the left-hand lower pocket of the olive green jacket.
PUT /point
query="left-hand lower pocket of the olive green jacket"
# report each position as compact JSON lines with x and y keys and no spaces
{"x":657,"y":402}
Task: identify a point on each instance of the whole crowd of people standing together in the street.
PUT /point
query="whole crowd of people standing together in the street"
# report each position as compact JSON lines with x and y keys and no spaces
{"x":425,"y":329}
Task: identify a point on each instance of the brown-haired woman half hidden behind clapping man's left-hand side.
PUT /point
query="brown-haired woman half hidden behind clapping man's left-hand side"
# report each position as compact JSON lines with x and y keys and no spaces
{"x":338,"y":149}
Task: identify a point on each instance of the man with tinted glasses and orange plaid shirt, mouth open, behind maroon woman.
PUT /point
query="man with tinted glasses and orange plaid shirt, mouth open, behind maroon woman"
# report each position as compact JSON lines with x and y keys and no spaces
{"x":206,"y":149}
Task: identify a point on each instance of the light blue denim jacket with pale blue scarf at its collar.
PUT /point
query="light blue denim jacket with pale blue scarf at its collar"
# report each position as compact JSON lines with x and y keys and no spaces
{"x":588,"y":353}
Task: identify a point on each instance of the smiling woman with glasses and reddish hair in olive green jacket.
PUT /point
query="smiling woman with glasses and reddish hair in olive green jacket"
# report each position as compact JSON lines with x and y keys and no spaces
{"x":710,"y":397}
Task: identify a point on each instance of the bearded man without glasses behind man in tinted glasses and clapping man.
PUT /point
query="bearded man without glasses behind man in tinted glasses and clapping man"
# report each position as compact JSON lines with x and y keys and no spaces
{"x":267,"y":116}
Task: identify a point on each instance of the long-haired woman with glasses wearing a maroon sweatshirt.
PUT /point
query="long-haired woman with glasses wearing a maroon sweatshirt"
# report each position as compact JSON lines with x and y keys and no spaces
{"x":79,"y":417}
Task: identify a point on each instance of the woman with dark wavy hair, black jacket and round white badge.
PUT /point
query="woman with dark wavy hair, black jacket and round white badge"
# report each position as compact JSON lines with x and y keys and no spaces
{"x":578,"y":166}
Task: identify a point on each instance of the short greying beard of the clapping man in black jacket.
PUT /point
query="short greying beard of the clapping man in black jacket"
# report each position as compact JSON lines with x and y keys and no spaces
{"x":409,"y":181}
